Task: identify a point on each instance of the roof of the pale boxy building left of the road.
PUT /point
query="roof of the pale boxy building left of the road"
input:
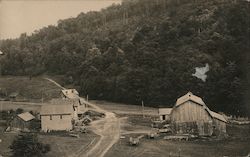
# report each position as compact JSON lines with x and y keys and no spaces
{"x":56,"y":109}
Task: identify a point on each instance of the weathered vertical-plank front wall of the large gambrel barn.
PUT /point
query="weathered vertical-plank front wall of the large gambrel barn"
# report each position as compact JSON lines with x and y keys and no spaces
{"x":191,"y":118}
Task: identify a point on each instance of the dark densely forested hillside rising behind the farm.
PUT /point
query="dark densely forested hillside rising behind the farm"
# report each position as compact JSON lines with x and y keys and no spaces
{"x":145,"y":50}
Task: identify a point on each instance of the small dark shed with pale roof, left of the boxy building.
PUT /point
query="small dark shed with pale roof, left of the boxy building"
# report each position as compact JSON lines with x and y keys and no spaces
{"x":22,"y":121}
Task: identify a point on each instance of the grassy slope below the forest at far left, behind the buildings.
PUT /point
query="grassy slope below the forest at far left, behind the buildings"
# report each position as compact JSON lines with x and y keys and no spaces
{"x":32,"y":90}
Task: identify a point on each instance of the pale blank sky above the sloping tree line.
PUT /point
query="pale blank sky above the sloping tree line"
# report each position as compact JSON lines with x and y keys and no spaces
{"x":20,"y":16}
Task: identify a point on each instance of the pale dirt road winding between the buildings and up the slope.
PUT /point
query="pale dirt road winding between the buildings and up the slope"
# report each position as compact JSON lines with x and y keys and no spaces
{"x":107,"y":128}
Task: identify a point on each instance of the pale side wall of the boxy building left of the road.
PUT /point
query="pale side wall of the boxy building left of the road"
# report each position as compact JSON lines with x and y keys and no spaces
{"x":56,"y":123}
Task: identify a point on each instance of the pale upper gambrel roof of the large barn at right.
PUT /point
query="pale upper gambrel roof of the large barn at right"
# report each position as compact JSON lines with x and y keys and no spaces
{"x":187,"y":97}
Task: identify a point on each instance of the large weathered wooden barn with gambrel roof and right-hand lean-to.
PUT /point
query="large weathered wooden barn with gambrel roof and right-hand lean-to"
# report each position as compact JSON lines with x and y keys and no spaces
{"x":191,"y":115}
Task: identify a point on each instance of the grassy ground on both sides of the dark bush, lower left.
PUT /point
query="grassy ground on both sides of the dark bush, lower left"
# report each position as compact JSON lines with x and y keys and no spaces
{"x":61,"y":146}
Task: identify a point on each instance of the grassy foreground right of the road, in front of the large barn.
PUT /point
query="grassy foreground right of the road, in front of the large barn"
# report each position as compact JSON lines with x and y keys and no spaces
{"x":237,"y":145}
